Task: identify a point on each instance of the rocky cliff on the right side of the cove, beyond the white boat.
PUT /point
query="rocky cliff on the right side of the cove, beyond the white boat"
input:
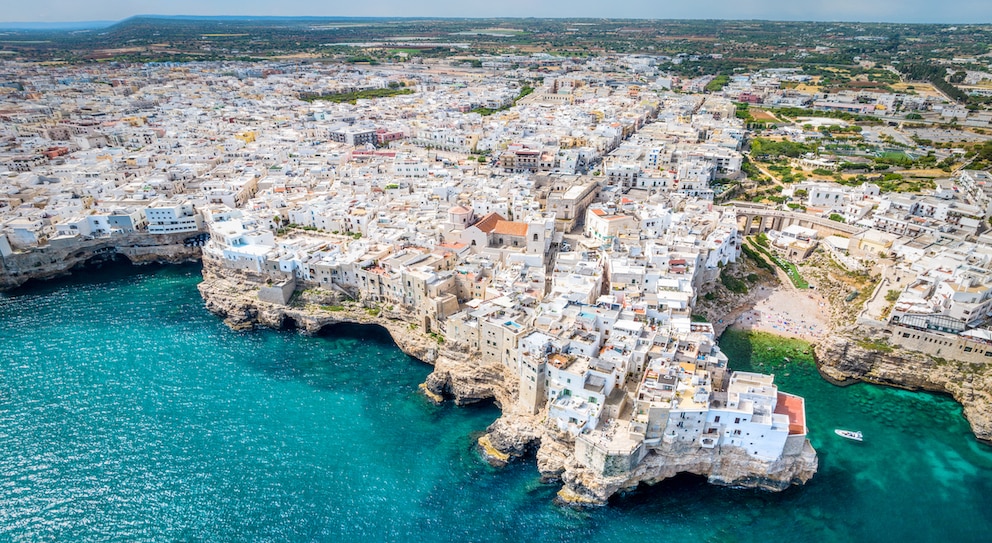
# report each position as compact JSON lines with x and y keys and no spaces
{"x":842,"y":359}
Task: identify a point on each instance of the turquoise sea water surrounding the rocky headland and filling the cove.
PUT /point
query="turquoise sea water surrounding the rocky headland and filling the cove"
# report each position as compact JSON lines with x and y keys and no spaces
{"x":129,"y":413}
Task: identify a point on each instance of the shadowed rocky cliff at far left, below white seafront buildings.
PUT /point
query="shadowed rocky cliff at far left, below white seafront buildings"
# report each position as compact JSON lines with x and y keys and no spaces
{"x":56,"y":260}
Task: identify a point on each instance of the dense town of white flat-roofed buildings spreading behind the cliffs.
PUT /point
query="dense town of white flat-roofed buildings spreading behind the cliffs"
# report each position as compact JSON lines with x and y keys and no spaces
{"x":556,"y":216}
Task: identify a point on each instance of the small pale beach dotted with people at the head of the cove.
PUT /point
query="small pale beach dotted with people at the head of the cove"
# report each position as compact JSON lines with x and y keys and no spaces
{"x":786,"y":312}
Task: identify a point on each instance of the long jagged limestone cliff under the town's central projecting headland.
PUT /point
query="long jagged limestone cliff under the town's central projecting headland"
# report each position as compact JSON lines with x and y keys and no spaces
{"x":464,"y":378}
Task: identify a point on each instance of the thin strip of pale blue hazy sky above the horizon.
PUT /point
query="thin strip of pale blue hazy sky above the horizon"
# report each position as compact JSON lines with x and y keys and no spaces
{"x":912,"y":11}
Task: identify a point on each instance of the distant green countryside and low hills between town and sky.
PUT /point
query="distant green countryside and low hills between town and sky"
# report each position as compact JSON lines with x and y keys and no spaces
{"x":698,"y":47}
